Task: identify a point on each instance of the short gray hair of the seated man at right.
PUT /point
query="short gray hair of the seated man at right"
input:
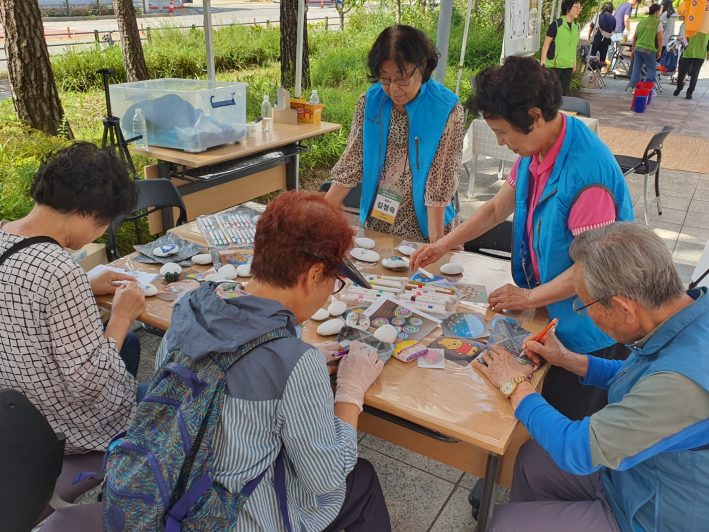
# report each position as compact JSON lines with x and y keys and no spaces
{"x":629,"y":260}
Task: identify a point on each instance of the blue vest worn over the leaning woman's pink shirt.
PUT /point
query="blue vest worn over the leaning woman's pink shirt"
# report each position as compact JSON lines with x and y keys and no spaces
{"x":584,"y":161}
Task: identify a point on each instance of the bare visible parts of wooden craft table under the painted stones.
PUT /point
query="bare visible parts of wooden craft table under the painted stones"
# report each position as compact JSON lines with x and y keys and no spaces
{"x":453,"y":415}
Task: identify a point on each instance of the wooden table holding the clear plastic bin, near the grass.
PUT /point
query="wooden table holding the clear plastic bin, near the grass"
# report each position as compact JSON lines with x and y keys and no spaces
{"x":220,"y":177}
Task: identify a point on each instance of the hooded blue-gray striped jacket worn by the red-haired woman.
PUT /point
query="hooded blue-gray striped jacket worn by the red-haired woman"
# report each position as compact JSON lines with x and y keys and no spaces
{"x":279,"y":395}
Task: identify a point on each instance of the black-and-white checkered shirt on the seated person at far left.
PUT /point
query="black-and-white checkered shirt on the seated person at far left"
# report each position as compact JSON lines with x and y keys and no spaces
{"x":53,"y":350}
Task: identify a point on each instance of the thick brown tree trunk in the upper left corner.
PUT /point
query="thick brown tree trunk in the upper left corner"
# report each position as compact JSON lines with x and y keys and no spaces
{"x":34,"y":91}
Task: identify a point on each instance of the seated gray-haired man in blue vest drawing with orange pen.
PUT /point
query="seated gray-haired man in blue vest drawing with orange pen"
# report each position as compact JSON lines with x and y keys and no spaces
{"x":641,"y":464}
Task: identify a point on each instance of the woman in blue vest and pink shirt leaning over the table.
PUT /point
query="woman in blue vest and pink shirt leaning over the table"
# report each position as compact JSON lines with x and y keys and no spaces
{"x":565,"y":182}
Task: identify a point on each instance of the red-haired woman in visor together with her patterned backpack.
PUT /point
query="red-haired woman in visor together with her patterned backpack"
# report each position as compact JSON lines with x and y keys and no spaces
{"x":281,"y":454}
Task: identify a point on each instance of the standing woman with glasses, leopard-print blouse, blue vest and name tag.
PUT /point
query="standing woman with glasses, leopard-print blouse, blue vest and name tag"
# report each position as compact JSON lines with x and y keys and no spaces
{"x":406,"y":142}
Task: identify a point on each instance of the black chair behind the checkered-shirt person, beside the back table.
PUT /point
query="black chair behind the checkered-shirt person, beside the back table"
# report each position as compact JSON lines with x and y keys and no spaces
{"x":153,"y":195}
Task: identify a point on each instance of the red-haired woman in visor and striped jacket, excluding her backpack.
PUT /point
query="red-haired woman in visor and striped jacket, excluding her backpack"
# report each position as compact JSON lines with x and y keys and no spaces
{"x":279,"y":396}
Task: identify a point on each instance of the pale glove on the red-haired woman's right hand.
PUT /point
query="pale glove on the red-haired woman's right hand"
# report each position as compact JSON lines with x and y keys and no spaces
{"x":358,"y":371}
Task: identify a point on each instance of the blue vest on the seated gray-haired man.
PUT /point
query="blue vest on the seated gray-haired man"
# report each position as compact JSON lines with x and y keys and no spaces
{"x":668,"y":492}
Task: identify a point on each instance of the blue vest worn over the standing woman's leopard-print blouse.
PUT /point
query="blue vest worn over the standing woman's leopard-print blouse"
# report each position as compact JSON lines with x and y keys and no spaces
{"x":428,"y":115}
